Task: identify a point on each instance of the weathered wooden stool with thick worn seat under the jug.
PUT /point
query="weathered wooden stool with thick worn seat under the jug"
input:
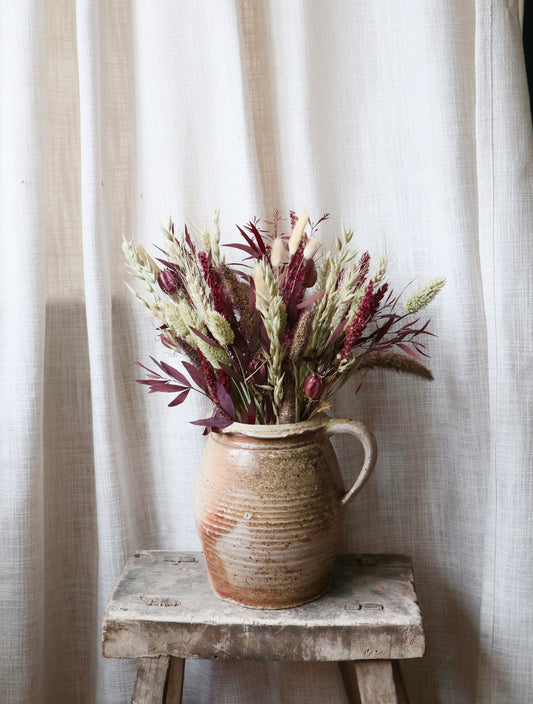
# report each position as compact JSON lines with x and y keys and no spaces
{"x":163,"y":612}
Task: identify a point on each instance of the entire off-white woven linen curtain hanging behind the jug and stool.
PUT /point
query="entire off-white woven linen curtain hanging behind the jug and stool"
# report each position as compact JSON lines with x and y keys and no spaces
{"x":407,"y":121}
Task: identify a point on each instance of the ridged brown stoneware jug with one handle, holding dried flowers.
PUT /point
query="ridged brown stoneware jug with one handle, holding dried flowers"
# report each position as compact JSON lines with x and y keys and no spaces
{"x":269,"y":504}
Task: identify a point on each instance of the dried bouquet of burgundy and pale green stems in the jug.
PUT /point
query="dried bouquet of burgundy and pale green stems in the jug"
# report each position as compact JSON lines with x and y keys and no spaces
{"x":271,"y":342}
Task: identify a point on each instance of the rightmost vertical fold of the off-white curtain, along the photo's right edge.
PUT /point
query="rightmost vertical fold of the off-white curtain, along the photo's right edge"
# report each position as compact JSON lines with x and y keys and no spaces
{"x":505,"y":196}
